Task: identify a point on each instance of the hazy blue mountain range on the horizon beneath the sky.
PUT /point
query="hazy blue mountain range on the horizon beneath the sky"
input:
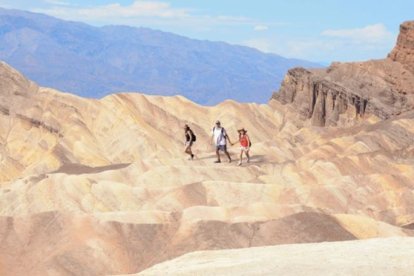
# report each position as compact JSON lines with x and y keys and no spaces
{"x":96,"y":61}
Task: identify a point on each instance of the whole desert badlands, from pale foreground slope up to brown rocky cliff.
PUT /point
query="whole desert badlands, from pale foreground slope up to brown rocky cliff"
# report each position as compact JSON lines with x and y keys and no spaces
{"x":102,"y":187}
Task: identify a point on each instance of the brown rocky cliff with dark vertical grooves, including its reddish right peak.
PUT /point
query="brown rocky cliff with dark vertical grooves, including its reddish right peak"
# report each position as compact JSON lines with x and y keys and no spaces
{"x":344,"y":91}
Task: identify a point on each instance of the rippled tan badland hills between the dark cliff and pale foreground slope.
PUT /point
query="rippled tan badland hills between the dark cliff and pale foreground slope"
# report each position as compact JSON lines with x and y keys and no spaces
{"x":91,"y":187}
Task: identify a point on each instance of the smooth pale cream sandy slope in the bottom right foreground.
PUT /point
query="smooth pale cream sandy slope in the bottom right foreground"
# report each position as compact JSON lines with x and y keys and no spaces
{"x":392,"y":256}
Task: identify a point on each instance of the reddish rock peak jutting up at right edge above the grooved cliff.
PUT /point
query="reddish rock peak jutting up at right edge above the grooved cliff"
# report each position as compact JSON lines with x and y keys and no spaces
{"x":403,"y":52}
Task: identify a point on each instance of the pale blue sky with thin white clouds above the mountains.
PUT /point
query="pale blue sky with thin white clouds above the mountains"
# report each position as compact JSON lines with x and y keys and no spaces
{"x":315,"y":30}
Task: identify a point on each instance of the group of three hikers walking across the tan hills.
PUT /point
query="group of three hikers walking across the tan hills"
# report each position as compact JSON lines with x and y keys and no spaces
{"x":219,"y":137}
